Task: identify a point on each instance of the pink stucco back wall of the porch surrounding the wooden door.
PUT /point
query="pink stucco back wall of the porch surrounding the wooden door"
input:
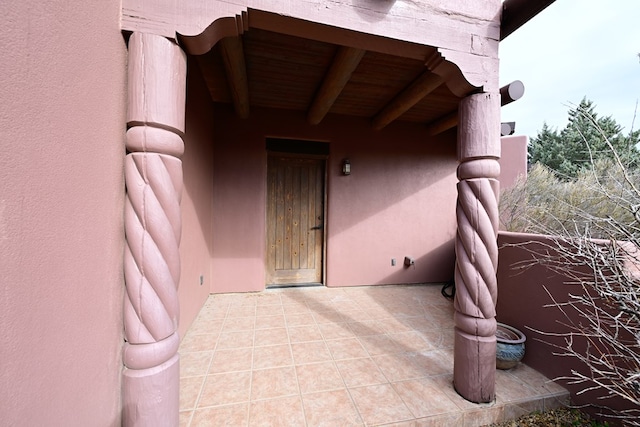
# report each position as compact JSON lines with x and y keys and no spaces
{"x":399,"y":200}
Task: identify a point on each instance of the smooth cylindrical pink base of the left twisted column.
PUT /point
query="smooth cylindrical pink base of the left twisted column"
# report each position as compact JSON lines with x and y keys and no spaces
{"x":151,"y":397}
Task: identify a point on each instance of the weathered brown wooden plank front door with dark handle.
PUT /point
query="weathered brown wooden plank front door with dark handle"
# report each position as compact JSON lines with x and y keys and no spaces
{"x":295,"y":219}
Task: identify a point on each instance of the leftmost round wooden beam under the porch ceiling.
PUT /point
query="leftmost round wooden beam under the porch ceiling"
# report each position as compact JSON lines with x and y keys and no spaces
{"x":233,"y":58}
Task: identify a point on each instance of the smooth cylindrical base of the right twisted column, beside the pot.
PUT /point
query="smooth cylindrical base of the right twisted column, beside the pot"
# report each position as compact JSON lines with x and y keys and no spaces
{"x":474,"y":367}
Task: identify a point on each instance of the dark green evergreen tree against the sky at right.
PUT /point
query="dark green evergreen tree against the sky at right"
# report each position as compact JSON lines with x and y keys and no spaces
{"x":583,"y":141}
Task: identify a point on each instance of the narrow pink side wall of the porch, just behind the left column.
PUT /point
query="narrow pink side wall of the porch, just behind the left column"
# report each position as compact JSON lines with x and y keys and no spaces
{"x":197,"y":162}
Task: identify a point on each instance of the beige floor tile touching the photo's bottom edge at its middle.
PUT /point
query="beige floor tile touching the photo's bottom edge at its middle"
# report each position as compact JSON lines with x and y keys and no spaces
{"x":329,"y":409}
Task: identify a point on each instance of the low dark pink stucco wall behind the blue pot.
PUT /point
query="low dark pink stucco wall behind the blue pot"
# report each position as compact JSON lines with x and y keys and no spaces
{"x":522,"y":297}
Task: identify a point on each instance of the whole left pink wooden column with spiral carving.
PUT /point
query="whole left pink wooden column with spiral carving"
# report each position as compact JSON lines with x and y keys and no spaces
{"x":153,"y":177}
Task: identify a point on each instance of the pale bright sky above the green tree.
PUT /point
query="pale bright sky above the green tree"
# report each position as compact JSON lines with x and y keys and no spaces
{"x":573,"y":49}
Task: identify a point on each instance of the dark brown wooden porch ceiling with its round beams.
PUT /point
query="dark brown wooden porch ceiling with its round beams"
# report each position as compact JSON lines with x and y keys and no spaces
{"x":266,"y":69}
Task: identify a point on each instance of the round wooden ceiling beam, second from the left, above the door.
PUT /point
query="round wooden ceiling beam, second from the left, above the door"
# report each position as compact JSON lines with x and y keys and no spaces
{"x":343,"y":66}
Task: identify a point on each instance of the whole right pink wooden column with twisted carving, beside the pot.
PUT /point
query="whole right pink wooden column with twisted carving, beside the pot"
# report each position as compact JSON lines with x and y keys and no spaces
{"x":476,"y":247}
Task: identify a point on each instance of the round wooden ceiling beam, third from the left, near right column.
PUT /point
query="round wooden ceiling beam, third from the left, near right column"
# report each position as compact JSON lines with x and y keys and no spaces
{"x":421,"y":87}
